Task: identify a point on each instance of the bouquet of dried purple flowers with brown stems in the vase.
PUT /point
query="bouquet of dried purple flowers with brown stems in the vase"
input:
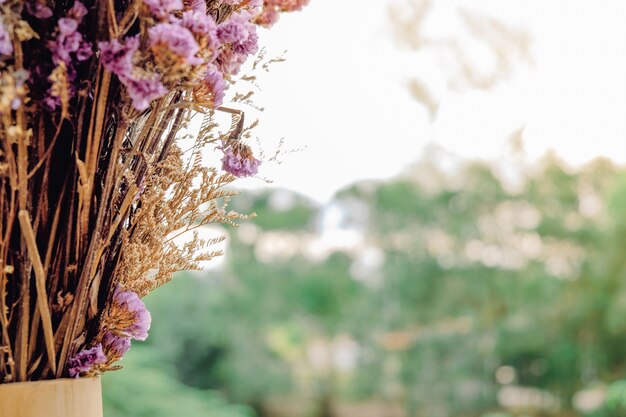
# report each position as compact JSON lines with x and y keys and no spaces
{"x":94,"y":189}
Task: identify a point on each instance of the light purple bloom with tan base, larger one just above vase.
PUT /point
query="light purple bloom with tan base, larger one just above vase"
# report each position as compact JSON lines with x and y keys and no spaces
{"x":128,"y":315}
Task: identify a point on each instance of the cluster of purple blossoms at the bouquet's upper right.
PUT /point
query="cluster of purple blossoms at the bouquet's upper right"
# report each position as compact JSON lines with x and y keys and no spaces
{"x":189,"y":38}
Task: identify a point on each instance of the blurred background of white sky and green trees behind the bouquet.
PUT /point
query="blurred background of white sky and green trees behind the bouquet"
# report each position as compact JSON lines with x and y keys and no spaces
{"x":445,"y":234}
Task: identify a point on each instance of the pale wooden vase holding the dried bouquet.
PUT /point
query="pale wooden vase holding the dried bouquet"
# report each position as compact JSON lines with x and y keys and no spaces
{"x":80,"y":397}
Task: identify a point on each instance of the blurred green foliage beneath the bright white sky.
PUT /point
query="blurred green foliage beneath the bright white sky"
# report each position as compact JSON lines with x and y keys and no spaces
{"x":464,"y":275}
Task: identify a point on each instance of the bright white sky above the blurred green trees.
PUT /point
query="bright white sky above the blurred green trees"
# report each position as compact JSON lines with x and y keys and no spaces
{"x":342,"y":92}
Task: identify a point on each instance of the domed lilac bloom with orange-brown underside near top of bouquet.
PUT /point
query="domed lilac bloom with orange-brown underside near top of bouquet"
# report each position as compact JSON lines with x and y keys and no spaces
{"x":176,"y":39}
